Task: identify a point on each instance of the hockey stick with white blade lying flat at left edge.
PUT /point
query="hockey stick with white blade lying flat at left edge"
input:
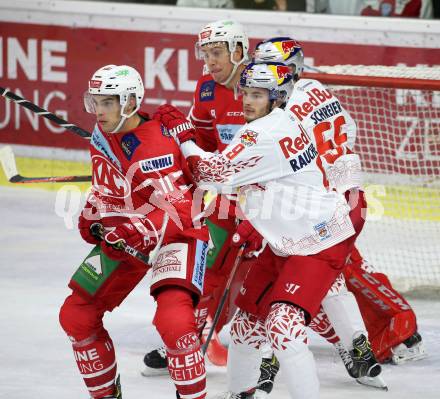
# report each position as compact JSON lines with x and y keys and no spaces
{"x":7,"y":160}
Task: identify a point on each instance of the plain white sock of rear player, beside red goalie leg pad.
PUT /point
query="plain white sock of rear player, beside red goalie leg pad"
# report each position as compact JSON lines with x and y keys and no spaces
{"x":345,"y":316}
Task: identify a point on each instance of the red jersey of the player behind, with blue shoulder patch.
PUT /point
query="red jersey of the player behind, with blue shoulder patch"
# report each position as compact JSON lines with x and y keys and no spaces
{"x":216,"y":114}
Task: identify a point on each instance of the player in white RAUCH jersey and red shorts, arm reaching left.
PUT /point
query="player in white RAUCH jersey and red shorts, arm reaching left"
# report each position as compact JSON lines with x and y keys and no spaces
{"x":274,"y":164}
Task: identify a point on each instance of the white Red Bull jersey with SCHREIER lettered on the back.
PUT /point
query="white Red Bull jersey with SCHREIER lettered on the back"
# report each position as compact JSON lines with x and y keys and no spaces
{"x":323,"y":116}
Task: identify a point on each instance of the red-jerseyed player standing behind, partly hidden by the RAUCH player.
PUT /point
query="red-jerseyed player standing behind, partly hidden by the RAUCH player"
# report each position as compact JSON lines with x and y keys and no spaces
{"x":217,"y":113}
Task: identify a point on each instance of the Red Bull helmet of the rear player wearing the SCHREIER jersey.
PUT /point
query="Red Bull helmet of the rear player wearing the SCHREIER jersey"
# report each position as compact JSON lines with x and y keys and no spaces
{"x":281,"y":49}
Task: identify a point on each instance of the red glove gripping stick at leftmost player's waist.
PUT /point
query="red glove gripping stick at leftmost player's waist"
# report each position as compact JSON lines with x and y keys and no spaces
{"x":125,"y":234}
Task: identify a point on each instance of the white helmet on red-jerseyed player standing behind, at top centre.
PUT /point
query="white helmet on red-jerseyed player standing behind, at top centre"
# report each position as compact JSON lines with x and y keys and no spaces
{"x":230,"y":32}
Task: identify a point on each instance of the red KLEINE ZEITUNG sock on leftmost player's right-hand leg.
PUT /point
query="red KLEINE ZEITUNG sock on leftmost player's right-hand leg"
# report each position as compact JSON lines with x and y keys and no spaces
{"x":175,"y":323}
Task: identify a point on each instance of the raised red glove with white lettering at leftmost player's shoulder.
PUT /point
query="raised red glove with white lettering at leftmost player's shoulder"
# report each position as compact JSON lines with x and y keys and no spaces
{"x":176,"y":123}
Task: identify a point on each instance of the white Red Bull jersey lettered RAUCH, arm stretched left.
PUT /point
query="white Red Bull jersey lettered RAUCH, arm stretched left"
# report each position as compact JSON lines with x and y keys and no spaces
{"x":274,"y":163}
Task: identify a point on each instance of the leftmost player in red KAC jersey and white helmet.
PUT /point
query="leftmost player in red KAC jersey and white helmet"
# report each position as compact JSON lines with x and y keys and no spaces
{"x":139,"y":176}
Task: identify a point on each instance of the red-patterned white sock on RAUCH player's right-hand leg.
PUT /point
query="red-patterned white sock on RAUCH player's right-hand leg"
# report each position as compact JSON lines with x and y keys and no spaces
{"x":285,"y":326}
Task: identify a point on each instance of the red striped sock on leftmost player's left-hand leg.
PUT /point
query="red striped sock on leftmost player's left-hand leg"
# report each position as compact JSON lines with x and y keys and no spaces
{"x":95,"y":357}
